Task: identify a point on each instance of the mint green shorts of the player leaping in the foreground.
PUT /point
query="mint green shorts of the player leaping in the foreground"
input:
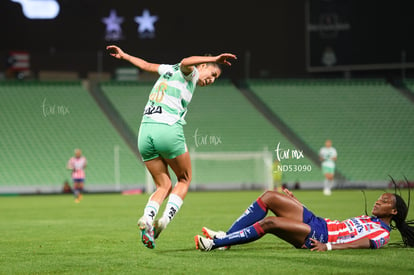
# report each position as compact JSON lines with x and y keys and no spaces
{"x":158,"y":139}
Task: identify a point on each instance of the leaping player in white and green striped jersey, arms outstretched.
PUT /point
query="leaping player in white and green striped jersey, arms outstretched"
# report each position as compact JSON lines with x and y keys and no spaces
{"x":161,"y":140}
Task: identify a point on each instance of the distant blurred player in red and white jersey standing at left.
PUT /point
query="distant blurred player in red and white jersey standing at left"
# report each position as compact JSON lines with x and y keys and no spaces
{"x":77,"y":165}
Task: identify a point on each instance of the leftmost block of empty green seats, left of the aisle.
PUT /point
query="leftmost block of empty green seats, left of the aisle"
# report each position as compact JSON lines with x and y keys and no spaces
{"x":41,"y":125}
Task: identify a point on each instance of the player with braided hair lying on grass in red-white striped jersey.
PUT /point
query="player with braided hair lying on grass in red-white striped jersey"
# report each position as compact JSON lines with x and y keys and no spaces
{"x":298,"y":226}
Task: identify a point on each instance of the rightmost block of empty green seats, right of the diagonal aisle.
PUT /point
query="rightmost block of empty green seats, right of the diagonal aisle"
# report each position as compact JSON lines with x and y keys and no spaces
{"x":370,"y":123}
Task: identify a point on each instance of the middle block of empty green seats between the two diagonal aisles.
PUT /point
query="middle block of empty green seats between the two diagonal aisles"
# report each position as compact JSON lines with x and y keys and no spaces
{"x":219,"y":119}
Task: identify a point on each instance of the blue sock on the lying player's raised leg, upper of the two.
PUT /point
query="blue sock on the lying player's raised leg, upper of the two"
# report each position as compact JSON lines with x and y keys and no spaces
{"x":254,"y":213}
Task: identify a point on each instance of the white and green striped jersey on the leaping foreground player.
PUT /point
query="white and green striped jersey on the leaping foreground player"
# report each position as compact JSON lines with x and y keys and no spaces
{"x":170,"y":95}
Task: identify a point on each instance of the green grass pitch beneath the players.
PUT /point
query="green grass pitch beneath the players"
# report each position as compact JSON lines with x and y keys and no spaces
{"x":50,"y":234}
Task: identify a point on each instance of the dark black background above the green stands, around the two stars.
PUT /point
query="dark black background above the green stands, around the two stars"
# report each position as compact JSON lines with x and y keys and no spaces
{"x":269,"y":37}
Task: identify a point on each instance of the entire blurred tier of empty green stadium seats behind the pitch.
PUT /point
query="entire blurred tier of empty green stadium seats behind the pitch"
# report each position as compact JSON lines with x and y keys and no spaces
{"x":369,"y":121}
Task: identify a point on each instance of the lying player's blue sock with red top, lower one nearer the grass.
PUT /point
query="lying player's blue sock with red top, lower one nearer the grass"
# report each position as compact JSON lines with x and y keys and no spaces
{"x":246,"y":235}
